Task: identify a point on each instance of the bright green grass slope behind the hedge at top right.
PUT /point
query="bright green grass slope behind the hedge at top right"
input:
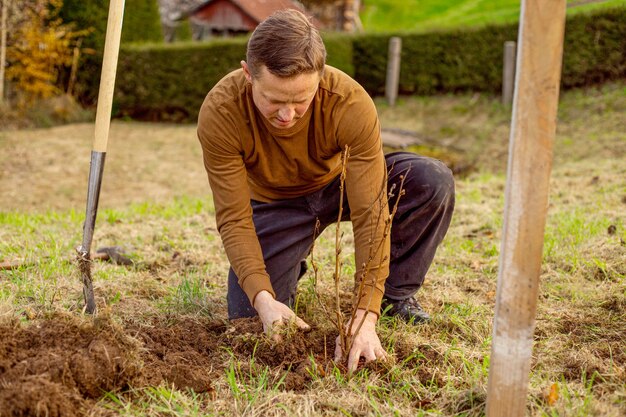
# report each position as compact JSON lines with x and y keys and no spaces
{"x":426,"y":15}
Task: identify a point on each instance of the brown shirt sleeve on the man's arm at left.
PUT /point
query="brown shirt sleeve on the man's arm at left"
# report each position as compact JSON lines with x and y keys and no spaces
{"x":223,"y":161}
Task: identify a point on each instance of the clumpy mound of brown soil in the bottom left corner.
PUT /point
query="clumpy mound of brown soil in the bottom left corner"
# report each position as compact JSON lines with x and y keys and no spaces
{"x":54,"y":367}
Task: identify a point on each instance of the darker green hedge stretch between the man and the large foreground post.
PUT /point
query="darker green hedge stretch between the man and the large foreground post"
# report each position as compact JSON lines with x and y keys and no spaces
{"x":436,"y":62}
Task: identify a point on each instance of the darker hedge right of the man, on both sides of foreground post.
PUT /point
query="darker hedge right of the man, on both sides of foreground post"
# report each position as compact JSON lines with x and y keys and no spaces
{"x":471,"y":60}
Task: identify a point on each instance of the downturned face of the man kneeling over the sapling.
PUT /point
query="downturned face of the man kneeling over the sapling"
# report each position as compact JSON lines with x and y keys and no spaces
{"x":282,"y":101}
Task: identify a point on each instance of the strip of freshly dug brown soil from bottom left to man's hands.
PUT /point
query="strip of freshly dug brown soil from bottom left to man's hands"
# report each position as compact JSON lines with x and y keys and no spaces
{"x":61,"y":365}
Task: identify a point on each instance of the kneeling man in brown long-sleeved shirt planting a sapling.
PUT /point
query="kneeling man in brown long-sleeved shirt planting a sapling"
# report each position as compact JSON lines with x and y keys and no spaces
{"x":272,"y":135}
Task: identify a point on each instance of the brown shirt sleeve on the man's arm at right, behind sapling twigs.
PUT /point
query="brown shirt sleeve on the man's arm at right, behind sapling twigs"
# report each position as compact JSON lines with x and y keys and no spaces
{"x":366,"y":187}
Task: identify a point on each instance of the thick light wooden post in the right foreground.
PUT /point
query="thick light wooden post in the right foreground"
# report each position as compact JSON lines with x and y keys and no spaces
{"x":533,"y":127}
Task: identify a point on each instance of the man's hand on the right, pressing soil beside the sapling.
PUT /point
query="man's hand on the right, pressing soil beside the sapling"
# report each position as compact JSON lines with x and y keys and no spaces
{"x":366,"y":343}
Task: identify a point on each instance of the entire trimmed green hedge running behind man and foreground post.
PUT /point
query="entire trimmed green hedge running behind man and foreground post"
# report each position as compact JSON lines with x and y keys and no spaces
{"x":169,"y":82}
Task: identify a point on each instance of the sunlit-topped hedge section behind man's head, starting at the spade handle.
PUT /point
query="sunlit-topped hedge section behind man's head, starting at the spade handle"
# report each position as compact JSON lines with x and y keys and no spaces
{"x":169,"y":81}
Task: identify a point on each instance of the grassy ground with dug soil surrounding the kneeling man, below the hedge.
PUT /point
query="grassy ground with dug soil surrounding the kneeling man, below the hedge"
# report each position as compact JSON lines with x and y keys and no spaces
{"x":161,"y":344}
